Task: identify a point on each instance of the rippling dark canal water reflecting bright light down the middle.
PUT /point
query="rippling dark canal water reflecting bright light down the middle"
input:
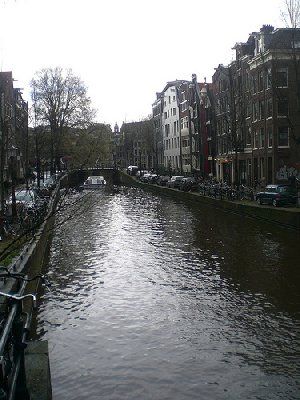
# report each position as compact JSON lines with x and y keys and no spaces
{"x":154,"y":298}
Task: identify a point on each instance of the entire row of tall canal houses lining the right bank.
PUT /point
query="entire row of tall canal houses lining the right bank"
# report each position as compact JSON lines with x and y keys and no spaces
{"x":243,"y":128}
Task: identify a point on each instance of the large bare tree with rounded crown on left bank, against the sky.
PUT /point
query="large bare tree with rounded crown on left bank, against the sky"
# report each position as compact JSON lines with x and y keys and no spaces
{"x":60,"y":102}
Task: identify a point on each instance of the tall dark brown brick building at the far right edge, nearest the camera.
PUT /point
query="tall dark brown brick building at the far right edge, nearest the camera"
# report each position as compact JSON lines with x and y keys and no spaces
{"x":275,"y":72}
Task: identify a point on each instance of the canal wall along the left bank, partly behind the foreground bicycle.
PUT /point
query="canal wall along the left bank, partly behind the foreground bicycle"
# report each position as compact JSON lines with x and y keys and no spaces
{"x":31,"y":262}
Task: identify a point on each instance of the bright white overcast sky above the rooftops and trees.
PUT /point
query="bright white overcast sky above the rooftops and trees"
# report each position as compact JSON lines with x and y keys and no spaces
{"x":126,"y":50}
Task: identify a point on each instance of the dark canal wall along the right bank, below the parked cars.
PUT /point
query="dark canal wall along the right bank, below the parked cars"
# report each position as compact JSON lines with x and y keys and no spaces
{"x":284,"y":217}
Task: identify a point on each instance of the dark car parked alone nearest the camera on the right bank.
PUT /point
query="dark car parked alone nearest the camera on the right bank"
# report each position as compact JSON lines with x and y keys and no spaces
{"x":277,"y":195}
